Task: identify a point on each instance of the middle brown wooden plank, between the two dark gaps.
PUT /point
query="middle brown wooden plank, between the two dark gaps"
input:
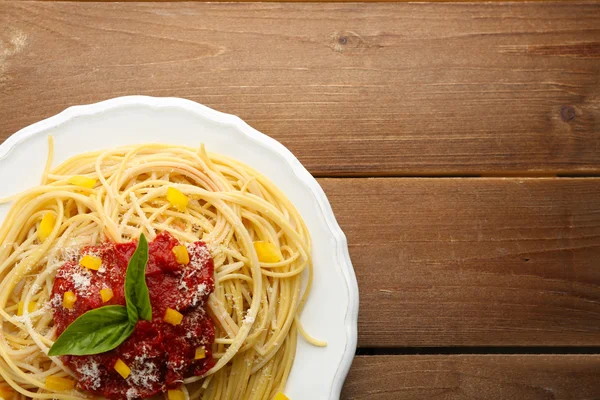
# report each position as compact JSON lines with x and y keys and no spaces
{"x":473,"y":261}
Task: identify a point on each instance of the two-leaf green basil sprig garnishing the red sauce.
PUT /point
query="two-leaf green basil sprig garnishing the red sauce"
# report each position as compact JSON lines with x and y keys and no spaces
{"x":103,"y":329}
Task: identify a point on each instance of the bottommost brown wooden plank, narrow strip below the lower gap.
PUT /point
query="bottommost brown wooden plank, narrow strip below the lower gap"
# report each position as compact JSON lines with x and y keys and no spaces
{"x":523,"y":377}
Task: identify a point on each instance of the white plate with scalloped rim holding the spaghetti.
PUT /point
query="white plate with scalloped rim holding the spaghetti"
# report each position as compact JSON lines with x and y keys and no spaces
{"x":332,"y":309}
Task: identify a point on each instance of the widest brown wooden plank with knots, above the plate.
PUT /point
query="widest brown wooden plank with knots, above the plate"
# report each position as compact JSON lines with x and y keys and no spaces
{"x":352,"y":89}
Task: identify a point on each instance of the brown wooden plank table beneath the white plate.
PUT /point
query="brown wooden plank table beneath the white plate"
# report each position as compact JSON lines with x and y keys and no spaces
{"x":459,"y":145}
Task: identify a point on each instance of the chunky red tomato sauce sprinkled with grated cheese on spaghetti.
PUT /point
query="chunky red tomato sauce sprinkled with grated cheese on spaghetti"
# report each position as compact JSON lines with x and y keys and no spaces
{"x":159,"y":354}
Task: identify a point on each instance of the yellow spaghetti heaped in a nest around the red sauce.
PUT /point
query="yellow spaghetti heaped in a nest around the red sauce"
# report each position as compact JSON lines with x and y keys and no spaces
{"x":258,"y":241}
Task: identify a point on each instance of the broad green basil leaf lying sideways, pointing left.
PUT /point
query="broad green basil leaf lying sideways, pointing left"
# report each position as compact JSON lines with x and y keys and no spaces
{"x":97,"y":331}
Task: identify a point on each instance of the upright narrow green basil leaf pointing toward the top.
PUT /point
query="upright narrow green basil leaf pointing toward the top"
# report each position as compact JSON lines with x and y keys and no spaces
{"x":137,"y":297}
